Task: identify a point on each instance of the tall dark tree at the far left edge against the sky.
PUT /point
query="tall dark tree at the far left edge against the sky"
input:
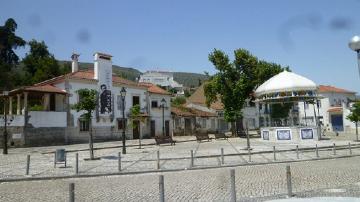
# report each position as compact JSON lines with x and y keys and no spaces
{"x":8,"y":58}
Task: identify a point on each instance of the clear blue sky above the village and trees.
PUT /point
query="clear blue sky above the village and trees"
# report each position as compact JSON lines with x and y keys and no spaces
{"x":311,"y":37}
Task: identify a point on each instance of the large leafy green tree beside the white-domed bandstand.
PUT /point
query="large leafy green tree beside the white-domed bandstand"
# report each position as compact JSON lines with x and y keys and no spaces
{"x":235,"y":81}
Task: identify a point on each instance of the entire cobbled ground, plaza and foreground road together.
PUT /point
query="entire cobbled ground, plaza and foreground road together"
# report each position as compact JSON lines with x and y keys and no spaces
{"x":262,"y":178}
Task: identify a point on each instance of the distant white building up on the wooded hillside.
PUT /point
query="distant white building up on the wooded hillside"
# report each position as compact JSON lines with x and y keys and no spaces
{"x":163,"y":79}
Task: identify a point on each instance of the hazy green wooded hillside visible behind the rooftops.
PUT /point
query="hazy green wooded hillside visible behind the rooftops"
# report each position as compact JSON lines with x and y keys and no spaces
{"x":185,"y":78}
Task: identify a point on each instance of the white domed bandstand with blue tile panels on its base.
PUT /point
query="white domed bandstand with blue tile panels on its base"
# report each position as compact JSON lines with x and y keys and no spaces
{"x":288,"y":87}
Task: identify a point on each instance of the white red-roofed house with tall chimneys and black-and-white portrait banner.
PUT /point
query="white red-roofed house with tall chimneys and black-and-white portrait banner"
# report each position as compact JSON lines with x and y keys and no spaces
{"x":42,"y":114}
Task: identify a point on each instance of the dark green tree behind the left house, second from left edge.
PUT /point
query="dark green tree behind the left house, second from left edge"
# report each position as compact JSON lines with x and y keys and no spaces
{"x":40,"y":63}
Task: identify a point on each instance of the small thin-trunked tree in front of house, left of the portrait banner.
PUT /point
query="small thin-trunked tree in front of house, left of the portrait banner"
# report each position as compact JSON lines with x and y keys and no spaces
{"x":87,"y":102}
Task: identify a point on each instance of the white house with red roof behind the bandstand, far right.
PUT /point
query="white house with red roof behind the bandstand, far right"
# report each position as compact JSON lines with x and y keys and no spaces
{"x":332,"y":109}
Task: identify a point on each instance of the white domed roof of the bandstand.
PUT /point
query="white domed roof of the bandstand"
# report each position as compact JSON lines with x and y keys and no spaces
{"x":285,"y":82}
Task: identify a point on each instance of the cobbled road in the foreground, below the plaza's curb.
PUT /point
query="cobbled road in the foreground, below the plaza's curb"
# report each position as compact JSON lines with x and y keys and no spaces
{"x":332,"y":177}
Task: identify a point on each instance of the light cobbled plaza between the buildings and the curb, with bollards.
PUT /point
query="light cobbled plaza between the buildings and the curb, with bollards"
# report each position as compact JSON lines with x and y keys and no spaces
{"x":207,"y":154}
